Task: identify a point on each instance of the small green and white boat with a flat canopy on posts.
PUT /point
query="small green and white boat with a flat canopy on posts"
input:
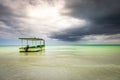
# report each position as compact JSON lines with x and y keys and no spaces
{"x":32,"y":44}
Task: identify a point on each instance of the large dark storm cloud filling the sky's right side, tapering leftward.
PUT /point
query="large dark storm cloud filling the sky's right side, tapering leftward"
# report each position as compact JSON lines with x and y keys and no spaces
{"x":103,"y":15}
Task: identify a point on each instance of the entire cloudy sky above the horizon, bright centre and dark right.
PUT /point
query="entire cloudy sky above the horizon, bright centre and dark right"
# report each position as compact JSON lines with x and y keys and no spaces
{"x":60,"y":21}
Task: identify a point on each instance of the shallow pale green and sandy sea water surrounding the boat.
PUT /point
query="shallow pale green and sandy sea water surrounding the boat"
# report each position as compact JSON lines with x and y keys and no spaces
{"x":61,"y":63}
